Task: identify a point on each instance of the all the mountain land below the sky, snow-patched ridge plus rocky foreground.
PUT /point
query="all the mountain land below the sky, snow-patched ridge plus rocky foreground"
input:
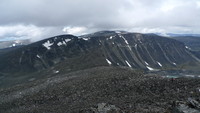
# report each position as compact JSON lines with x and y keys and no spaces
{"x":103,"y":72}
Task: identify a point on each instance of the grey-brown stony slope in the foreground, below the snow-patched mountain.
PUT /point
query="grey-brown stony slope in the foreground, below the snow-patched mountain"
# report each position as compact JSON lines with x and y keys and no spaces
{"x":103,"y":90}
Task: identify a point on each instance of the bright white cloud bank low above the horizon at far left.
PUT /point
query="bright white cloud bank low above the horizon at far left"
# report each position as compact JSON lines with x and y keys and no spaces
{"x":31,"y":32}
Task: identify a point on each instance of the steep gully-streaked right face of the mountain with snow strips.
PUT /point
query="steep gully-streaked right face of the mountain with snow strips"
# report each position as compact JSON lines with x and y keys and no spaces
{"x":144,"y":50}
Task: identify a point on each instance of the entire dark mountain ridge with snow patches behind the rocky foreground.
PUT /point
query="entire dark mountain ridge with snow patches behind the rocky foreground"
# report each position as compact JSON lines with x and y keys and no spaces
{"x":66,"y":53}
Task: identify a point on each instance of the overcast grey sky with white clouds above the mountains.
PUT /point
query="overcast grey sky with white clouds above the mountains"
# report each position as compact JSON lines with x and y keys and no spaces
{"x":39,"y":19}
